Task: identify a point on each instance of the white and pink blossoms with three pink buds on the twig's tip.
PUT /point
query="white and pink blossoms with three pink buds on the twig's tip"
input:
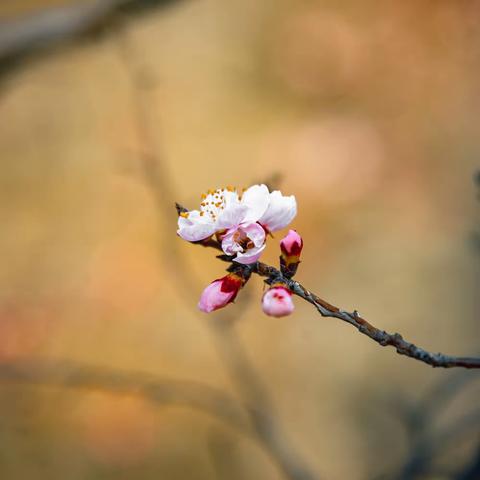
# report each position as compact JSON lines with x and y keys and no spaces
{"x":241,"y":221}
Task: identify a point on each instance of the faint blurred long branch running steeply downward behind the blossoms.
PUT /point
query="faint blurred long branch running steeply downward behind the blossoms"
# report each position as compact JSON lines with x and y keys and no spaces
{"x":235,"y":360}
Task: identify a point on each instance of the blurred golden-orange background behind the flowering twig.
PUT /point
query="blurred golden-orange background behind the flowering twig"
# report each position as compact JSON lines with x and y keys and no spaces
{"x":369,"y":113}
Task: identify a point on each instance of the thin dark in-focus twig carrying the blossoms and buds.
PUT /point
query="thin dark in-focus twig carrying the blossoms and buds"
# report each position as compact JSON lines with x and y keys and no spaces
{"x":380,"y":336}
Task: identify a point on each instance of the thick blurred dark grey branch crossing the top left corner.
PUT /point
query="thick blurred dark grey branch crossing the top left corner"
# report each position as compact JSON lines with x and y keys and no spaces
{"x":26,"y":37}
